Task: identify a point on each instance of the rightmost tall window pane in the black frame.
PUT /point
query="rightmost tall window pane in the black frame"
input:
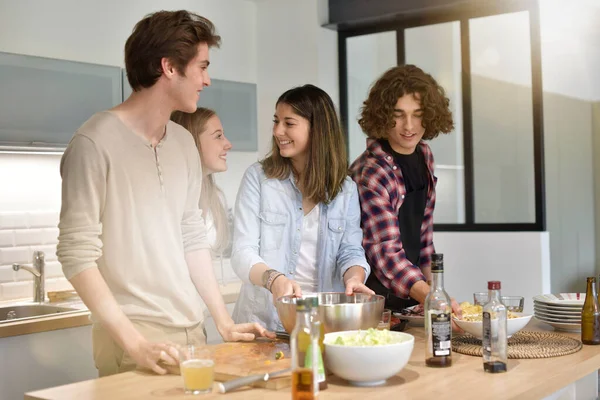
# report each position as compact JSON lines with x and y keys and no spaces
{"x":503,"y":164}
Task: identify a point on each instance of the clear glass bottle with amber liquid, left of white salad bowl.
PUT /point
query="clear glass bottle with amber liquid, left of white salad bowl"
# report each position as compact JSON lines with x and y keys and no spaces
{"x":304,"y":337}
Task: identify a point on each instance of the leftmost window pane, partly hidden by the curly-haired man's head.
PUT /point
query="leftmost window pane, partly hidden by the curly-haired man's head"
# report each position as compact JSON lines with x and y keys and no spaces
{"x":368,"y":57}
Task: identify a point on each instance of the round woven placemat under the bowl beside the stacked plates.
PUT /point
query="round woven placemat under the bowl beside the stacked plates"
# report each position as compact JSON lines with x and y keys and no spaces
{"x":523,"y":344}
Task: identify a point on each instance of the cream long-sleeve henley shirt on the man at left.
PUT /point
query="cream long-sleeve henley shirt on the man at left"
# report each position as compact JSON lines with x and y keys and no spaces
{"x":132,"y":212}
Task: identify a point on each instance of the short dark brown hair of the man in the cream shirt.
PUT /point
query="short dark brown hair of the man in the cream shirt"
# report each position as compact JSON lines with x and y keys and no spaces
{"x":171,"y":34}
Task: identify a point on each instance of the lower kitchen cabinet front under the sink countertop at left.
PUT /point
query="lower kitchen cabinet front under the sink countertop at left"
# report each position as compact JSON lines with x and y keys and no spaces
{"x":46,"y":359}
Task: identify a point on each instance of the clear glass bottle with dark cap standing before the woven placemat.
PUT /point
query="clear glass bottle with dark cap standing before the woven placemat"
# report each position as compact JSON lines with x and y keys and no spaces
{"x":495,"y":342}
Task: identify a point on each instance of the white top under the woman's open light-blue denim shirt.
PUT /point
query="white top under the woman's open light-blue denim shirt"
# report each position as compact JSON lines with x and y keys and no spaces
{"x":306,"y":270}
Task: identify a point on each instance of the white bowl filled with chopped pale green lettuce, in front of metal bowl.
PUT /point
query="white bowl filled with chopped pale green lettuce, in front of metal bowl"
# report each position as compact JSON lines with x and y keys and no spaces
{"x":367,"y":357}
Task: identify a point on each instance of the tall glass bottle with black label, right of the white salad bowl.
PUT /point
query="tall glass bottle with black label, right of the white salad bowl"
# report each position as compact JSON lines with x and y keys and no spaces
{"x":438,"y":325}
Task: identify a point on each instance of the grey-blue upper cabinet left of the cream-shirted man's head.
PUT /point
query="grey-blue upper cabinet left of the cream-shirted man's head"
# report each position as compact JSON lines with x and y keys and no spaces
{"x":43,"y":100}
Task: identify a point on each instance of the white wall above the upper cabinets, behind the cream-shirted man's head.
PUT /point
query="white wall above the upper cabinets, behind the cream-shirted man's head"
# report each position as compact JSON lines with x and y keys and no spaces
{"x":64,"y":29}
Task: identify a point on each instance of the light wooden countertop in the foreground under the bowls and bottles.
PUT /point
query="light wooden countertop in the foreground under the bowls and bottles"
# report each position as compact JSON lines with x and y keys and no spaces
{"x":526,"y":379}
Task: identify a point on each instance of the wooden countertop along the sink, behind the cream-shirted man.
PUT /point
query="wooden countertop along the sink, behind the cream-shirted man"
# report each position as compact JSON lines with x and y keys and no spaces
{"x":52,"y":322}
